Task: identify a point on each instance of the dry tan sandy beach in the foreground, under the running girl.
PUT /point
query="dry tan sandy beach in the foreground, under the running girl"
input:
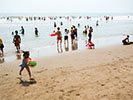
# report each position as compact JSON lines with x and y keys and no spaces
{"x":100,"y":74}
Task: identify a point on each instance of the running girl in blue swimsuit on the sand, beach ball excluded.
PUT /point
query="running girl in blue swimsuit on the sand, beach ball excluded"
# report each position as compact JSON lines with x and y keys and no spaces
{"x":25,"y":63}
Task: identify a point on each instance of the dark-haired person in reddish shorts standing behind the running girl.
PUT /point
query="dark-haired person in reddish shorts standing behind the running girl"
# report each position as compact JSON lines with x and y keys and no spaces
{"x":17,"y":41}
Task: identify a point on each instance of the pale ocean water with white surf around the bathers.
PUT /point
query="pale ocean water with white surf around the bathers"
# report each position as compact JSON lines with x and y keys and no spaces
{"x":107,"y":33}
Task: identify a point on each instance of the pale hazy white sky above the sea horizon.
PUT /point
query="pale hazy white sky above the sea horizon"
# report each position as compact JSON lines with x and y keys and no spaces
{"x":59,"y":6}
